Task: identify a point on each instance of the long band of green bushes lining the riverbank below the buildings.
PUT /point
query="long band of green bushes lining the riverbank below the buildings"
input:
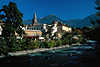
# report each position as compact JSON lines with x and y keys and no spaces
{"x":25,"y":46}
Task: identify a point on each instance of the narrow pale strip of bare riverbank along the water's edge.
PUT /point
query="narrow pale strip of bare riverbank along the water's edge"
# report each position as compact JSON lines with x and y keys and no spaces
{"x":25,"y":52}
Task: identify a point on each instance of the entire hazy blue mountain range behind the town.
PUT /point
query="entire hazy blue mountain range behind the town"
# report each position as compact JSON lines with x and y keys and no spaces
{"x":73,"y":23}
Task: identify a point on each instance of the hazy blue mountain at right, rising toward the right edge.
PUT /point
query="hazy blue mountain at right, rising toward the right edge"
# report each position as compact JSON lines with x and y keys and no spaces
{"x":82,"y":22}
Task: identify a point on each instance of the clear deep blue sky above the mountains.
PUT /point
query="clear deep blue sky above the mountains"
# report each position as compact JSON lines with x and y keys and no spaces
{"x":64,"y":9}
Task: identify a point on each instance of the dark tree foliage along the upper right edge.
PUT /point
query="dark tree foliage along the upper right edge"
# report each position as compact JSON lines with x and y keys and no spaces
{"x":95,"y":32}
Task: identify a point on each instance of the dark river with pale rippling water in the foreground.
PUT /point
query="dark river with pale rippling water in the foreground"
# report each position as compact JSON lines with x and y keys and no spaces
{"x":78,"y":55}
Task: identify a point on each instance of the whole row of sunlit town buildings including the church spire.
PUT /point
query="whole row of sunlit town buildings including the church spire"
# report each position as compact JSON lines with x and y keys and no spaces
{"x":36,"y":30}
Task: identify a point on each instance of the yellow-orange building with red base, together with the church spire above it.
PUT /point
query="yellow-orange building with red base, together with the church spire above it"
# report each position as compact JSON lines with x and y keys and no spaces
{"x":33,"y":30}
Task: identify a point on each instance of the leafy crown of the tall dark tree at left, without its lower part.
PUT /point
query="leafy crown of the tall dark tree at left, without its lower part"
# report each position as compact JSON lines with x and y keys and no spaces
{"x":12,"y":20}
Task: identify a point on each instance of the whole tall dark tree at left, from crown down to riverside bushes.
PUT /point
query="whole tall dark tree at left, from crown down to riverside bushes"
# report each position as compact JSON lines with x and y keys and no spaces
{"x":12,"y":19}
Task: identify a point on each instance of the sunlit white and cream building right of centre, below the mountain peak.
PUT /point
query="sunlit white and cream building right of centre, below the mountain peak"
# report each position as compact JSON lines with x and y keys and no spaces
{"x":58,"y":28}
